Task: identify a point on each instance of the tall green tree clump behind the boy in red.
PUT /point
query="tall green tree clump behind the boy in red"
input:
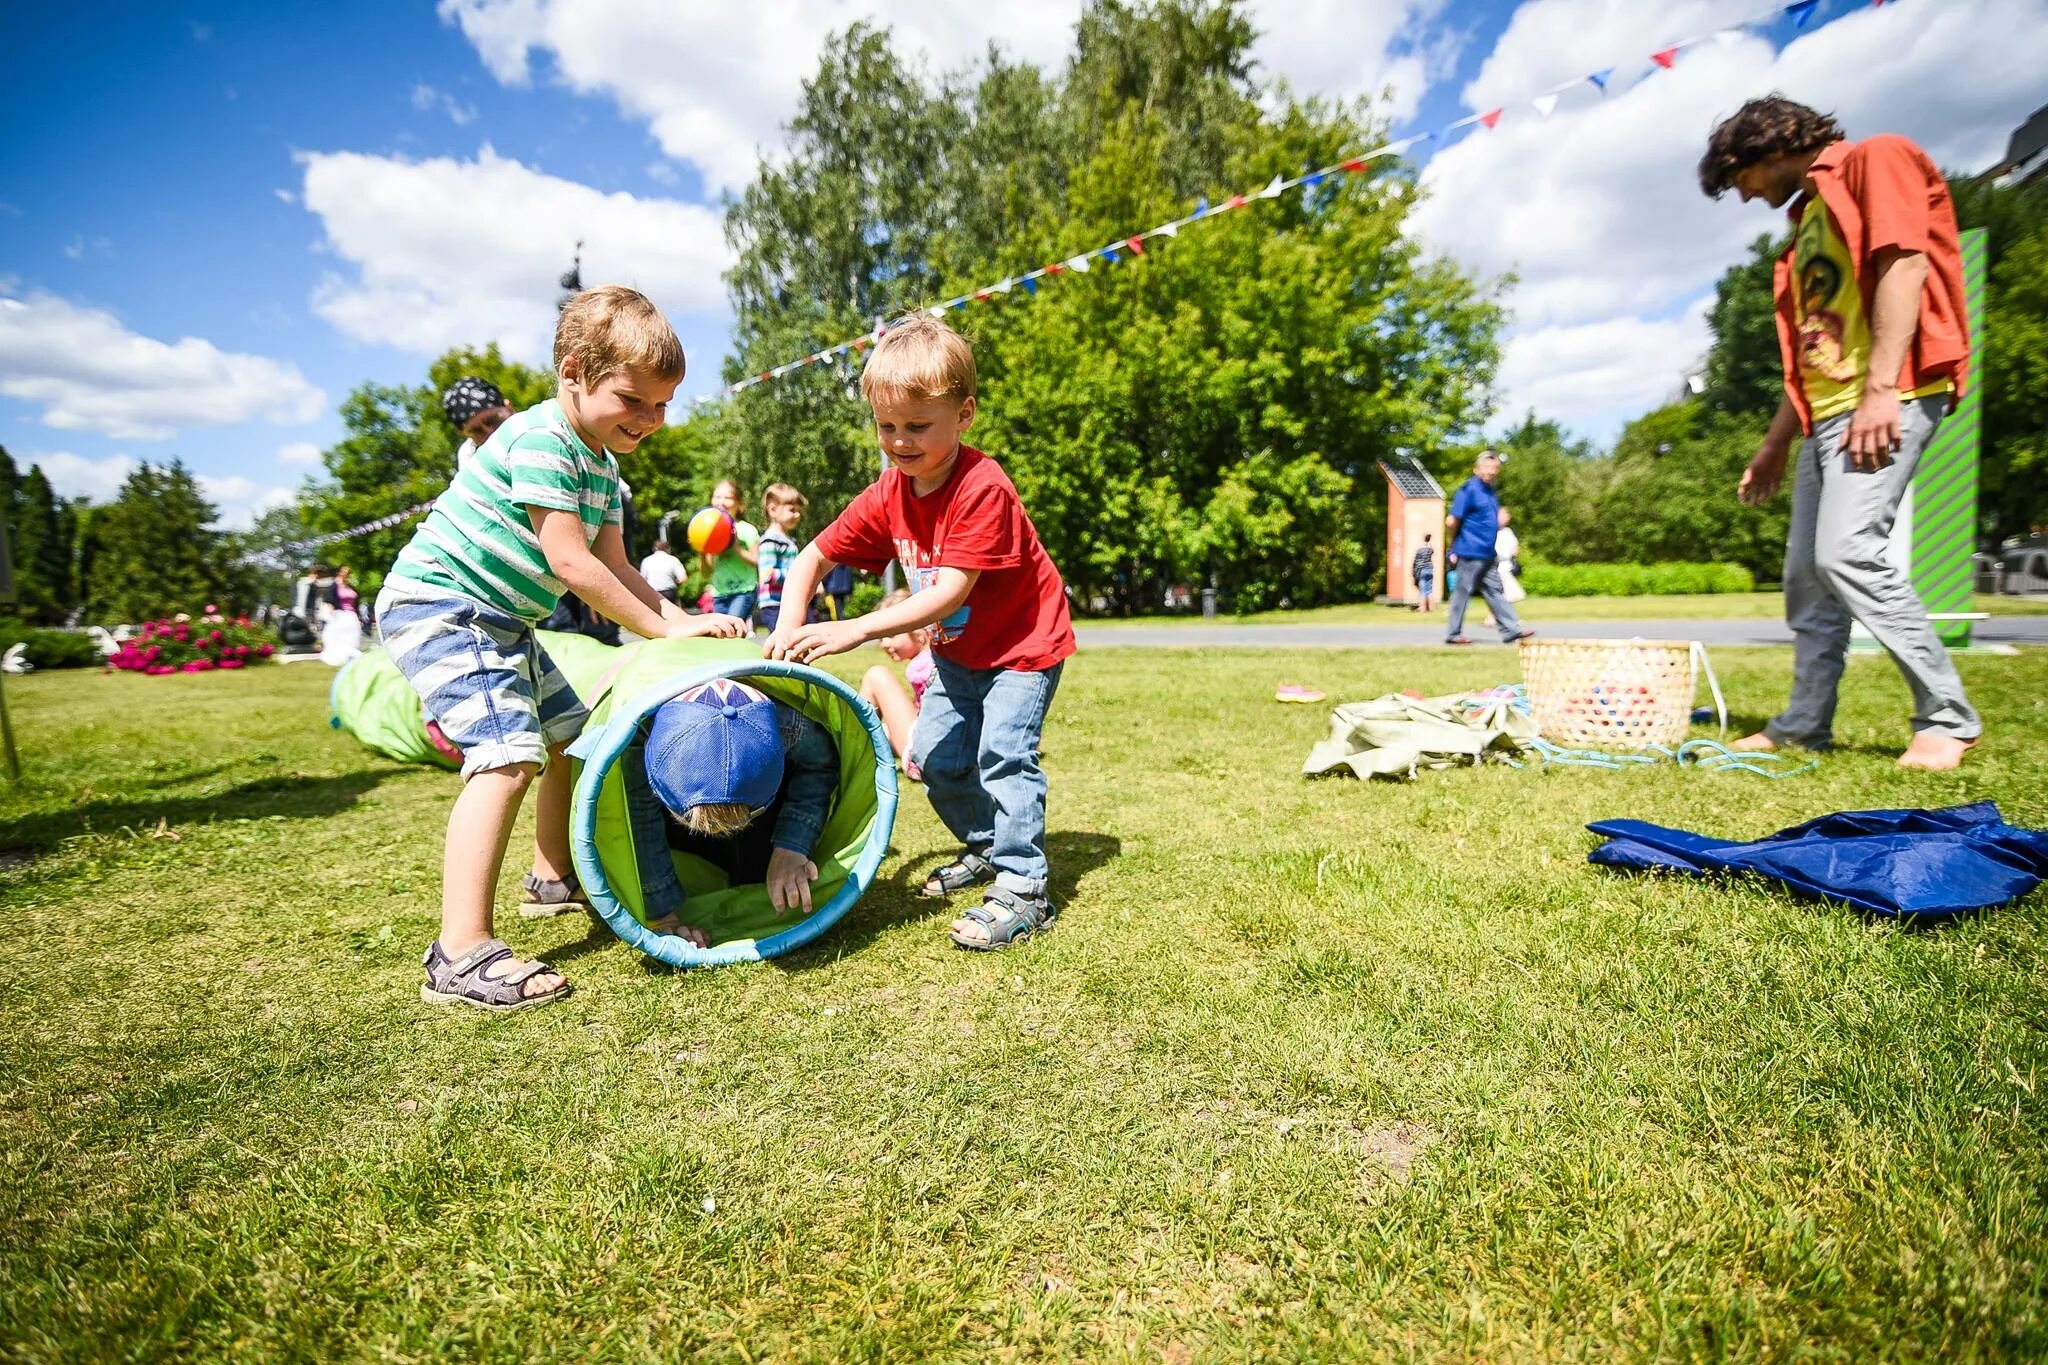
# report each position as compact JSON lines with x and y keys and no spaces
{"x":1211,"y":410}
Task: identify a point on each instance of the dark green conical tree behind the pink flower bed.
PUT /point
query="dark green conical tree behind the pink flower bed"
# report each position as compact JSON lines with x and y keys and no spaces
{"x":153,"y":549}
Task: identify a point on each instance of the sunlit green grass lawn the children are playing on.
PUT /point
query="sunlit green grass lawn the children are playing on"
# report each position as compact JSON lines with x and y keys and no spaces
{"x":1306,"y":1071}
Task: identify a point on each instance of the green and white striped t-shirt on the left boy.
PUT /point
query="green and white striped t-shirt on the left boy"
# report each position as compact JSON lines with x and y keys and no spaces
{"x":480,"y":543}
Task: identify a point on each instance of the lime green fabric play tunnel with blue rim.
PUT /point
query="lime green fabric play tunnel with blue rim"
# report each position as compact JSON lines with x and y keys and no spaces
{"x":624,"y":689}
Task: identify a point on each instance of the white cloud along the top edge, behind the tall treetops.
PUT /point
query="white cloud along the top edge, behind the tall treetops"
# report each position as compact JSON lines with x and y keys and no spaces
{"x":716,"y":85}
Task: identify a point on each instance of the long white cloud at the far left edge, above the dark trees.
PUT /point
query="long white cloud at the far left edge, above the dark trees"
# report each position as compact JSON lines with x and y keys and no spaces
{"x":89,"y":373}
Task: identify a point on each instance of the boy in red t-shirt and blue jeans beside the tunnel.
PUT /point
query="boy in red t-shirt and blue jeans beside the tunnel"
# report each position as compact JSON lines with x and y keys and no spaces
{"x":996,"y":609}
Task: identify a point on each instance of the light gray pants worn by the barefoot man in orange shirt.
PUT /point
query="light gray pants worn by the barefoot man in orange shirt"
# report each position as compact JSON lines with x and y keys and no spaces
{"x":1840,"y":570}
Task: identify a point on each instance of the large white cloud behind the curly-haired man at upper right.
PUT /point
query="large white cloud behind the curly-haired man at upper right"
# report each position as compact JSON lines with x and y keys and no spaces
{"x":1598,"y":208}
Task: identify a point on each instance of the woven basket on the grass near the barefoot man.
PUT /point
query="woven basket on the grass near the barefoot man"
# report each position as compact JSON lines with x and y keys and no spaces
{"x":1611,"y":695}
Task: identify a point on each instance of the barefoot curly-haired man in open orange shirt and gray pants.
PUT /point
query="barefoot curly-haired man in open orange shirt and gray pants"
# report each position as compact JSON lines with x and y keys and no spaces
{"x":1877,"y":351}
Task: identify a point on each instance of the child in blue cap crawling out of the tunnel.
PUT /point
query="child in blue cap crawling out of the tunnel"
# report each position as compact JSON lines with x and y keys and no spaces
{"x":738,"y":781}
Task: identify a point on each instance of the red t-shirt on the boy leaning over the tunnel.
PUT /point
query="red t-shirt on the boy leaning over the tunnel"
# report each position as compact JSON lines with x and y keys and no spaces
{"x":1017,"y":613}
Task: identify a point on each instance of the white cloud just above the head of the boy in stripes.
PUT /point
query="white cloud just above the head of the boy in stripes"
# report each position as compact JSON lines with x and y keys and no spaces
{"x":454,"y":253}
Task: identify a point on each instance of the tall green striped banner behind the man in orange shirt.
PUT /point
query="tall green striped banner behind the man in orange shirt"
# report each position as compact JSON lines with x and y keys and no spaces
{"x":1945,"y":486}
